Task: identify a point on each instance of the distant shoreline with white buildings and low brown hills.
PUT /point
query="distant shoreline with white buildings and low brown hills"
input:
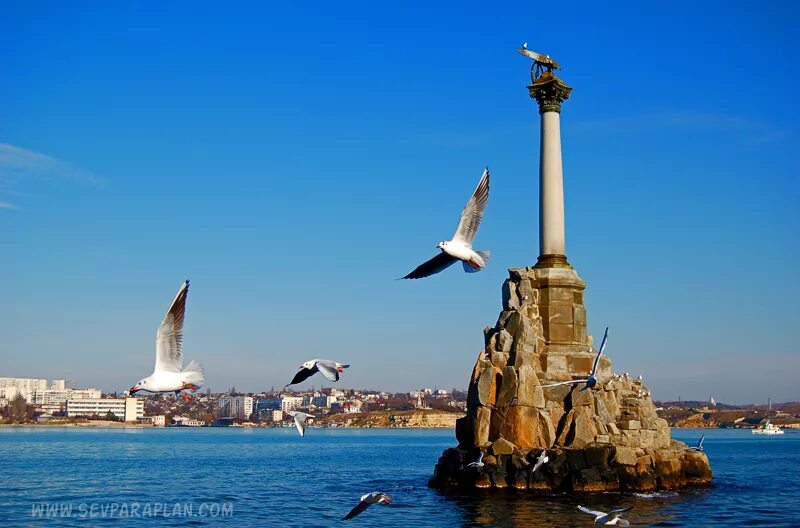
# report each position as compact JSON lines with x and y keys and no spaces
{"x":59,"y":403}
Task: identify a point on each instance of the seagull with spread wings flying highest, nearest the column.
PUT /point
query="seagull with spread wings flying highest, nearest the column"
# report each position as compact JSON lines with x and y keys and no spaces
{"x":460,"y":247}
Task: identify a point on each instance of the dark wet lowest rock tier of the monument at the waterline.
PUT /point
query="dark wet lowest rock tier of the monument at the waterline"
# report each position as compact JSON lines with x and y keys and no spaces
{"x":597,"y":467}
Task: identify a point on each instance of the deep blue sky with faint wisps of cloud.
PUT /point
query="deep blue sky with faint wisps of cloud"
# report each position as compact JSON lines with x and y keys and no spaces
{"x":293,"y":161}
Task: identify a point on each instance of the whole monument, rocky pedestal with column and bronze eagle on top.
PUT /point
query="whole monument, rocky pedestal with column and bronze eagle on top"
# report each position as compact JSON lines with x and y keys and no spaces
{"x":606,"y":438}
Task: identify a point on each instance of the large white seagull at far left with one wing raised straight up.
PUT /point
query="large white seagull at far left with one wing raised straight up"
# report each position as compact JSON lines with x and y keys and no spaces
{"x":168,"y":376}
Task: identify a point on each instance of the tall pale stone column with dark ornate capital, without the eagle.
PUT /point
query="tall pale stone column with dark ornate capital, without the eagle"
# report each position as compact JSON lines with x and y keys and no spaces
{"x":550,"y":91}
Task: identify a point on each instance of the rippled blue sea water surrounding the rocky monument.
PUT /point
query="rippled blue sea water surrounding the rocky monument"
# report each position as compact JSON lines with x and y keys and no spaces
{"x":272,"y":477}
